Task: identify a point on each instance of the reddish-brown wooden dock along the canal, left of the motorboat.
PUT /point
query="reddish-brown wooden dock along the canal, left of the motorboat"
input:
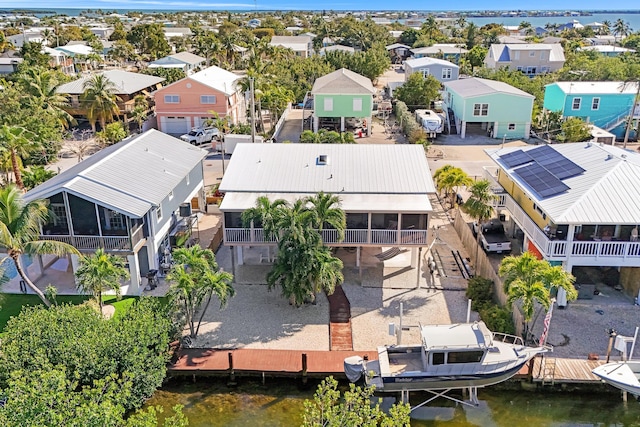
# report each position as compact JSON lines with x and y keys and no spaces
{"x":262,"y":361}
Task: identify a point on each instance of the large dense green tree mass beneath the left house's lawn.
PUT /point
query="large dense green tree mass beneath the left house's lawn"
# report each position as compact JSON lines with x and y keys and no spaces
{"x":131,"y":347}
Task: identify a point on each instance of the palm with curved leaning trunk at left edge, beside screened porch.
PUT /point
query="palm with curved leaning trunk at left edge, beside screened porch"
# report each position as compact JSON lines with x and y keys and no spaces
{"x":19,"y":231}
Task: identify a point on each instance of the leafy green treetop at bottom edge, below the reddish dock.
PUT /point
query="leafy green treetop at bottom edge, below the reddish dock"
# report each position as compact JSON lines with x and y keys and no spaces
{"x":356,"y":407}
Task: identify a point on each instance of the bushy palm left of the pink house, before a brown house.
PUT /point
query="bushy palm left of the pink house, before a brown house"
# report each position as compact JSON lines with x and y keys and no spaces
{"x":100,"y":100}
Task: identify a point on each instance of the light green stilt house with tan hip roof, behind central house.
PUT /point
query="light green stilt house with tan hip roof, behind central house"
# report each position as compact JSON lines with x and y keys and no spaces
{"x":340,"y":98}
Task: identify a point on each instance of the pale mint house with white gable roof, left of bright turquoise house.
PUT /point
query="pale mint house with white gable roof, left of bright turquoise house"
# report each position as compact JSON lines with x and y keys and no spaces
{"x":479,"y":106}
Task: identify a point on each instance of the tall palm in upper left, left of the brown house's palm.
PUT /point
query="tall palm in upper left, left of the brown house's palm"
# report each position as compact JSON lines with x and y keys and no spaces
{"x":41,"y":86}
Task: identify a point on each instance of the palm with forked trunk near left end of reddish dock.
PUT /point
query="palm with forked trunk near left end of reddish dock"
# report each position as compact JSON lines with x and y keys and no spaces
{"x":195,"y":279}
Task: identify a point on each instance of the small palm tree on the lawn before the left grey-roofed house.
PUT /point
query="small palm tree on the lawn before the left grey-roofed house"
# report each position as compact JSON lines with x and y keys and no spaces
{"x":101,"y":272}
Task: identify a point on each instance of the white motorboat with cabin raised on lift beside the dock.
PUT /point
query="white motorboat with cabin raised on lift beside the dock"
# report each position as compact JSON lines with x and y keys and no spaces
{"x":464,"y":355}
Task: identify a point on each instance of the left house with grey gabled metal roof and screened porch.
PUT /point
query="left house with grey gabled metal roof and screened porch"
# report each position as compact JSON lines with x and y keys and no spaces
{"x":133,"y":199}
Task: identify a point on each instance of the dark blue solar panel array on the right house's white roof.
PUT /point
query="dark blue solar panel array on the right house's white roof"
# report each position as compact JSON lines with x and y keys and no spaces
{"x":544,"y":169}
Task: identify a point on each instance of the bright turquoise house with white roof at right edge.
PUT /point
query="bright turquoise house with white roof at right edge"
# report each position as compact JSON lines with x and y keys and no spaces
{"x":605,"y":104}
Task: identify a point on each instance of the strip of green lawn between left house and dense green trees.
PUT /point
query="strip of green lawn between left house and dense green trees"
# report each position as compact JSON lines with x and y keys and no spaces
{"x":11,"y":304}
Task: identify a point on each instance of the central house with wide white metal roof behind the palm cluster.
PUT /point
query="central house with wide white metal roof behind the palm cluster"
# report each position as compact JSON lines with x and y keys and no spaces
{"x":383,"y":189}
